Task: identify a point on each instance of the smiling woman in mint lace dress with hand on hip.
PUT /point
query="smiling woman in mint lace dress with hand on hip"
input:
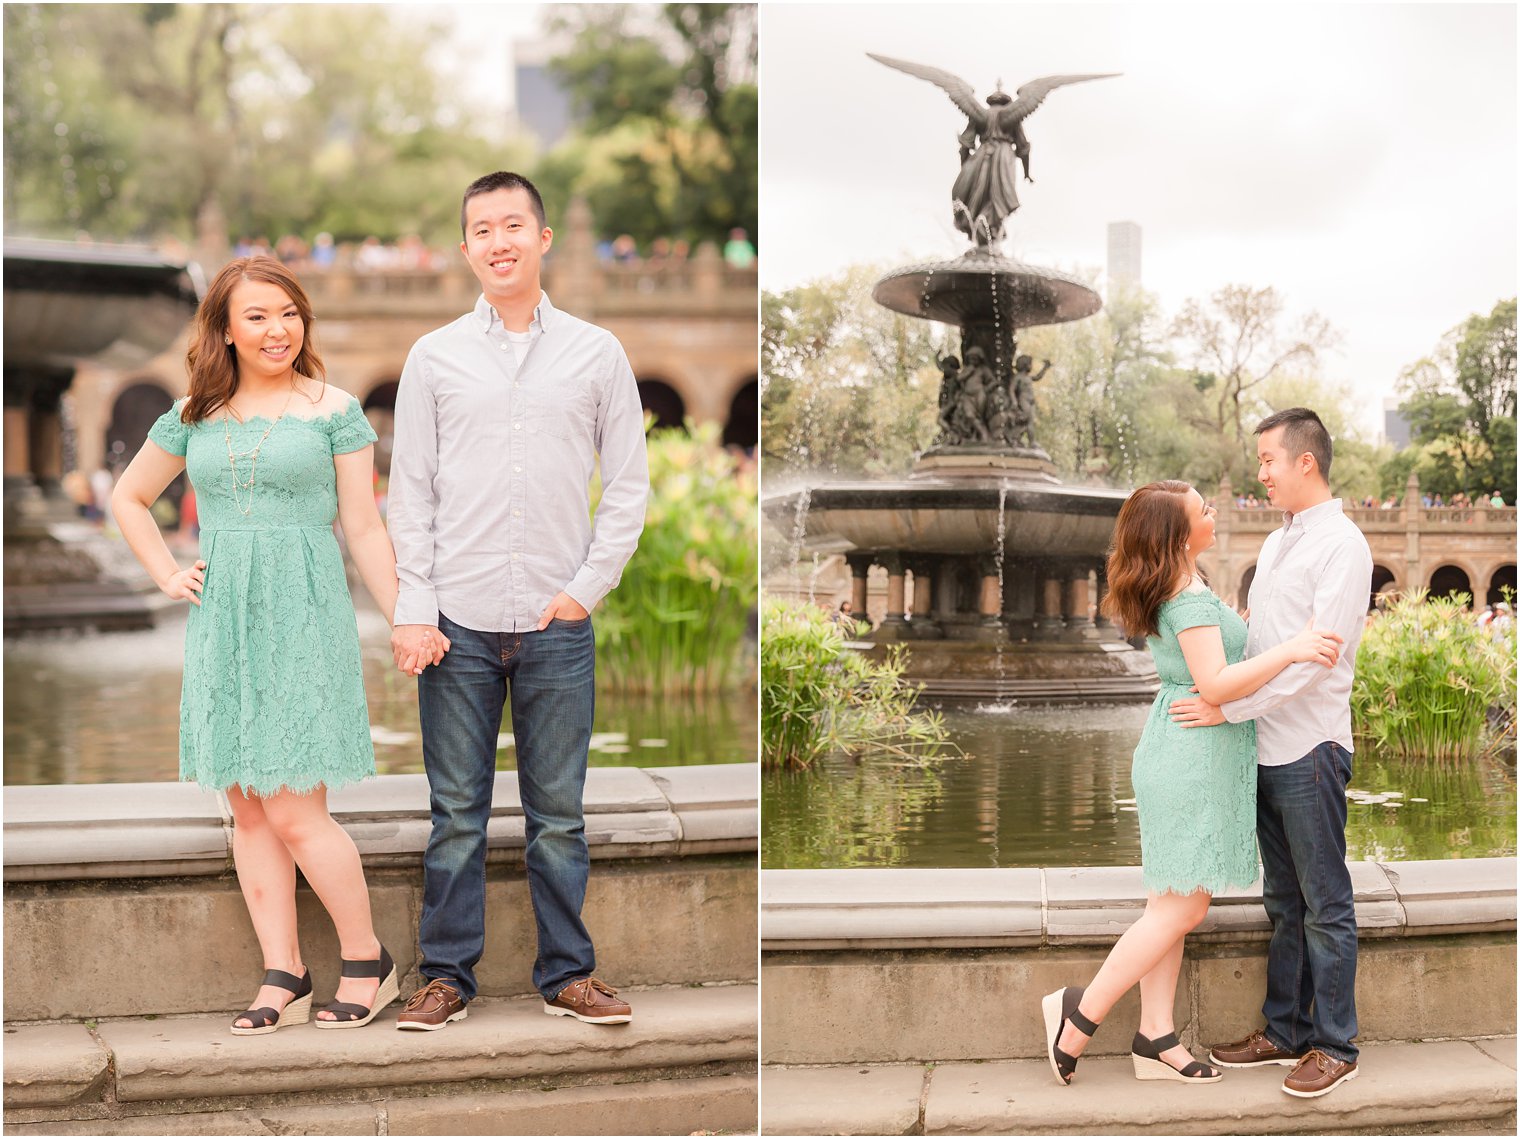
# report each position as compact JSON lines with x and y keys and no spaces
{"x":273,"y":709}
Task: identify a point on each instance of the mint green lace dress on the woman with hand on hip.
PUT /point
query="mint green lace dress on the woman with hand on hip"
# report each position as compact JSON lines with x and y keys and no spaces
{"x":274,"y":694}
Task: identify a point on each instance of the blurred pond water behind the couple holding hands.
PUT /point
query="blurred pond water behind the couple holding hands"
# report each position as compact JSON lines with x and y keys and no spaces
{"x":106,"y":709}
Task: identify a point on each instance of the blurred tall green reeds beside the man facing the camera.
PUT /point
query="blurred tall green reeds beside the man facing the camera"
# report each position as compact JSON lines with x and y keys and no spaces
{"x":677,"y":621}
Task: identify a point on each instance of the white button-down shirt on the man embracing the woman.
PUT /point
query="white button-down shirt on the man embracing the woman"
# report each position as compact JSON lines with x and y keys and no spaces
{"x":1317,"y":568}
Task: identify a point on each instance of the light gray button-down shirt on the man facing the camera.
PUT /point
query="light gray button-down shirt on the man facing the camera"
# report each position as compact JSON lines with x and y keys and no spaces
{"x":489,"y":504}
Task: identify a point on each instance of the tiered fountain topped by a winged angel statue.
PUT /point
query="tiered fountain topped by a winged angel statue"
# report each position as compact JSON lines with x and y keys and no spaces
{"x":1007,"y":562}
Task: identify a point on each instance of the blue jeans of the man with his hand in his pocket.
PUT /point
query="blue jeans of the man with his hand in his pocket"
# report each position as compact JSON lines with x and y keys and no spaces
{"x":553,"y":682}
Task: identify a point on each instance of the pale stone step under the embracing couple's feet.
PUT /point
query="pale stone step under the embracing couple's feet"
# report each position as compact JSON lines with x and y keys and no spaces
{"x":1455,"y":1087}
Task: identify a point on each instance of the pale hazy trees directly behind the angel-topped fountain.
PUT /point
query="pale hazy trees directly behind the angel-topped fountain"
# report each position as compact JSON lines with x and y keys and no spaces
{"x":852,"y":389}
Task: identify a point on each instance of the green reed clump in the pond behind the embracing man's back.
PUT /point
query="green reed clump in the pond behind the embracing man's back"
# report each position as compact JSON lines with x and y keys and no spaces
{"x":1431,"y":684}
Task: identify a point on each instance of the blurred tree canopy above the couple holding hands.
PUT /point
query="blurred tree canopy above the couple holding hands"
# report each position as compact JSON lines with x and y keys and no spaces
{"x":139,"y":122}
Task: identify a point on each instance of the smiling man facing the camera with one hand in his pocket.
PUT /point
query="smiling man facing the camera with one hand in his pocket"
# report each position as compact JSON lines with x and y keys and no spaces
{"x":501,"y":420}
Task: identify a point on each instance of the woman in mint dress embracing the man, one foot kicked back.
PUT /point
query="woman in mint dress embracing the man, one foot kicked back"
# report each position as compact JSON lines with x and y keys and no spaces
{"x":1195,"y":788}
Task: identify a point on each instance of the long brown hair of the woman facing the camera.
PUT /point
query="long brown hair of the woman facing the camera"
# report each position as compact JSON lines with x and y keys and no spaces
{"x":212,"y":361}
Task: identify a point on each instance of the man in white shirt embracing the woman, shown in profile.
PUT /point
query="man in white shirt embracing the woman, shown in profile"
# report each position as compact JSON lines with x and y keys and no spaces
{"x":1317,"y":569}
